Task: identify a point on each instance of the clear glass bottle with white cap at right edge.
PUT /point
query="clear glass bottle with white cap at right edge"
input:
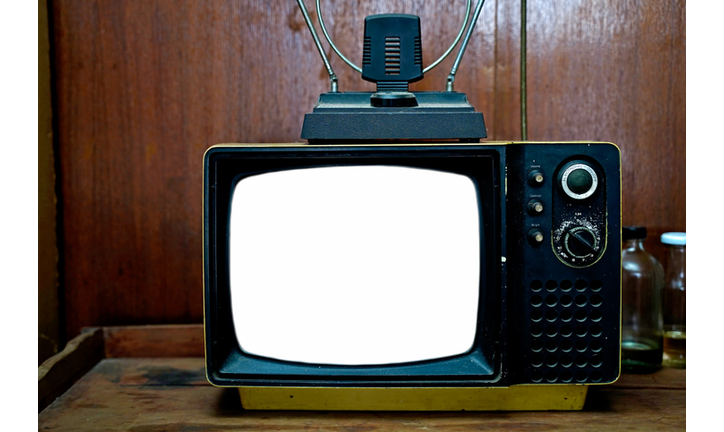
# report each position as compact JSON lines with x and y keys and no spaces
{"x":675,"y":300}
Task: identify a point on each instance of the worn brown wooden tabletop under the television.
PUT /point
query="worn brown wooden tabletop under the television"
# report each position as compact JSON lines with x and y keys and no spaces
{"x":172,"y":394}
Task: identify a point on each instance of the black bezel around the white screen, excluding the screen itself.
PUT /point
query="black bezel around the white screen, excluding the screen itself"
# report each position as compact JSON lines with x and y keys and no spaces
{"x":224,"y":166}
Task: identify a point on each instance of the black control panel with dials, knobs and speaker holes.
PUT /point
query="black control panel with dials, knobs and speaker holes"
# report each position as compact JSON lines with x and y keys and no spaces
{"x":563,"y":212}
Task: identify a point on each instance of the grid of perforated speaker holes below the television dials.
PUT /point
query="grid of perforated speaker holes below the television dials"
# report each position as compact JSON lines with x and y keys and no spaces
{"x":566,"y":332}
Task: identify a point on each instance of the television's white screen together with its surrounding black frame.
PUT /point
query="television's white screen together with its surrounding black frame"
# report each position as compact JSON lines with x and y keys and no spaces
{"x":373,"y":264}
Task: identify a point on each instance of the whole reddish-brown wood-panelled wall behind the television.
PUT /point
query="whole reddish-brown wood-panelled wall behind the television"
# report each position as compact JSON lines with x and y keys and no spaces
{"x":142,"y":88}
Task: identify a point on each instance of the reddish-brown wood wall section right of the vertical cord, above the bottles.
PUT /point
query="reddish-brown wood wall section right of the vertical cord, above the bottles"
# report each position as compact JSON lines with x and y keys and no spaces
{"x":615,"y":71}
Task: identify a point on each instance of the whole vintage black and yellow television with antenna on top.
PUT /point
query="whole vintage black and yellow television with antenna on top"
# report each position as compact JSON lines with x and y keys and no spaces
{"x":398,"y":263}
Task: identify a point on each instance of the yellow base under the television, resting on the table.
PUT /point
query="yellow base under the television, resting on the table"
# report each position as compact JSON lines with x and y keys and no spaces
{"x":566,"y":397}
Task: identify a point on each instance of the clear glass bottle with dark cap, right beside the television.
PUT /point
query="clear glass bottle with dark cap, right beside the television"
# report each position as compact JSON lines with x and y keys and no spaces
{"x":641,"y":316}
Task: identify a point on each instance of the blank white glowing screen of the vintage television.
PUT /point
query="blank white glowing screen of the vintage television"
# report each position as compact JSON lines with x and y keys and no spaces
{"x":359,"y":265}
